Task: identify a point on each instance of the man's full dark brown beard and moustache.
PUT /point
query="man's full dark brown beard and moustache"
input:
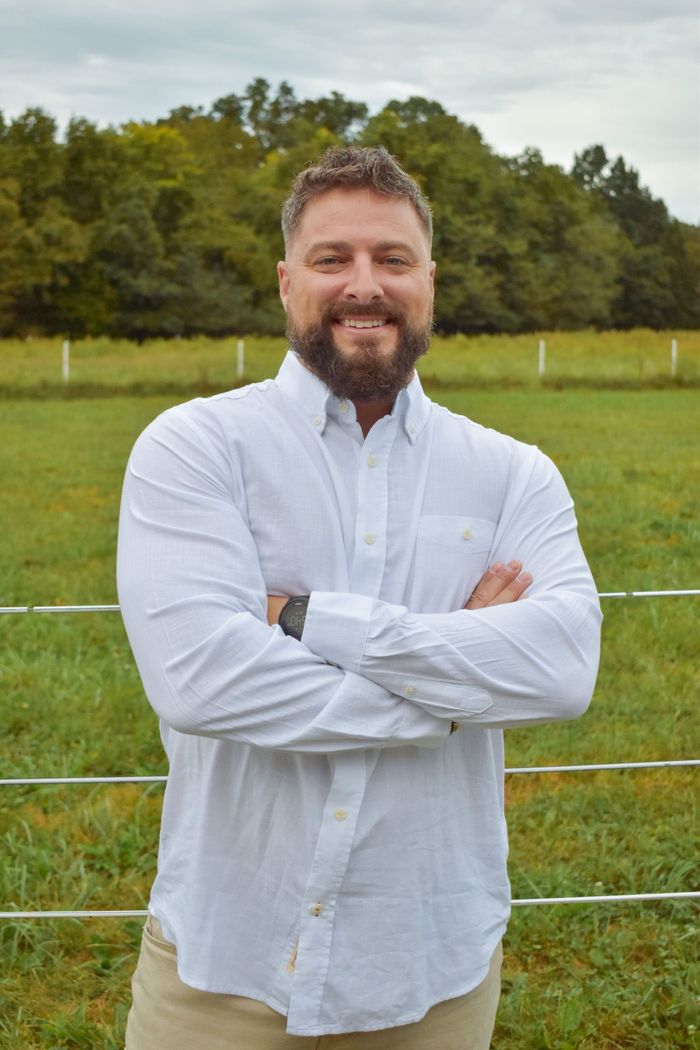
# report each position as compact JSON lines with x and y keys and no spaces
{"x":366,"y":373}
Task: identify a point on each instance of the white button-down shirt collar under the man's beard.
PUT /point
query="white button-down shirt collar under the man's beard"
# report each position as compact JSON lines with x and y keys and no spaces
{"x":412,"y":407}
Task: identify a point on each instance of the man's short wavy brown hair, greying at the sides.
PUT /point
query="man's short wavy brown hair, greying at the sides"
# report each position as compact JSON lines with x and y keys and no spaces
{"x":353,"y":167}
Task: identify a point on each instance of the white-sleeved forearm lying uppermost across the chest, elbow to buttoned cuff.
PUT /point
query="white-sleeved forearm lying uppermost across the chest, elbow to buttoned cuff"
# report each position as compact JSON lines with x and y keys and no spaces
{"x":519,"y":664}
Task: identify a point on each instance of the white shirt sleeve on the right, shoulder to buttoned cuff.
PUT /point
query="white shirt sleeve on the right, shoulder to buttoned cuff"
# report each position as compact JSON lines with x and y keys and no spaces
{"x":526,"y":663}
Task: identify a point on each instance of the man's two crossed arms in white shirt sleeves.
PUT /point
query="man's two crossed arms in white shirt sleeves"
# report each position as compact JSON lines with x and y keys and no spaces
{"x":368,"y":674}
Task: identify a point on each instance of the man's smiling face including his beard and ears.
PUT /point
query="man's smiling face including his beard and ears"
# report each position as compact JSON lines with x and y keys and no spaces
{"x":357,"y":287}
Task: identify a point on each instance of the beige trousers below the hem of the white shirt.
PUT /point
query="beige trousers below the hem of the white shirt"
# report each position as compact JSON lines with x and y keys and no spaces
{"x":167,"y":1015}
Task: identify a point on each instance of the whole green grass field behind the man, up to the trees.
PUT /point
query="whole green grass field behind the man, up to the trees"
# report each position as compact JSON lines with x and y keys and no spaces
{"x":576,"y":977}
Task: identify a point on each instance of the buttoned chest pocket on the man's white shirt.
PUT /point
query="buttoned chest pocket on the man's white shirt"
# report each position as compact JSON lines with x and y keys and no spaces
{"x":452,"y":556}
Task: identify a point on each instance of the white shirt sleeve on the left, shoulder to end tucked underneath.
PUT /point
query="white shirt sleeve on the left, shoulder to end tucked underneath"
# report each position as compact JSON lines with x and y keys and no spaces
{"x":195,"y":606}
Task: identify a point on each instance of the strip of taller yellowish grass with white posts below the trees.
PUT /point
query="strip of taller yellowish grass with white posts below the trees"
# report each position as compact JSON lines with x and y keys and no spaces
{"x":101,"y":367}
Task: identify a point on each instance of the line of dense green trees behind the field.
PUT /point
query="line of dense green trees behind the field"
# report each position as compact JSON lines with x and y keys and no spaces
{"x":173,"y":228}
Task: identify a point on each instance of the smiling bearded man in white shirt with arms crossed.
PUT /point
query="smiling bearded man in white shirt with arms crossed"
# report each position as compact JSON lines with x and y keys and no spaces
{"x":332,"y":870}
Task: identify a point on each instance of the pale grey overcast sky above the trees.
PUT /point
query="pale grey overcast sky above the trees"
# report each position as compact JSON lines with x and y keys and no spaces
{"x":559,"y":75}
